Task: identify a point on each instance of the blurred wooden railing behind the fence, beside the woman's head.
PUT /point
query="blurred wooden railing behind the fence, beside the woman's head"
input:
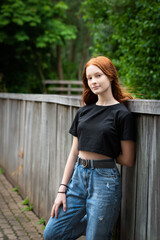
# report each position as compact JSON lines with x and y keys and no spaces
{"x":64,"y":86}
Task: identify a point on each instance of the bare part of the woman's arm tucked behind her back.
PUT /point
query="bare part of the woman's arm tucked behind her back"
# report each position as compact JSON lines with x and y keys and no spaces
{"x":127,"y":155}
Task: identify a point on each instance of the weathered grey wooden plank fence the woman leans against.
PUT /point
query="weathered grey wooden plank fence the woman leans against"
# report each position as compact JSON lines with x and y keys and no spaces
{"x":34,"y":145}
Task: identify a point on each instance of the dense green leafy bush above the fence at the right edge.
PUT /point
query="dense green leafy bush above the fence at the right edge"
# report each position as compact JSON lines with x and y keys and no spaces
{"x":139,"y":46}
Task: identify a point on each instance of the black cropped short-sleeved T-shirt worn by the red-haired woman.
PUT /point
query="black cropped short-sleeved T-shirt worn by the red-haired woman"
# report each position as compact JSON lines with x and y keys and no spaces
{"x":101,"y":128}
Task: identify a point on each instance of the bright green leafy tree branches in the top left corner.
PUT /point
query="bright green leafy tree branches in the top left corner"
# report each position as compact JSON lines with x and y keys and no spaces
{"x":36,"y":21}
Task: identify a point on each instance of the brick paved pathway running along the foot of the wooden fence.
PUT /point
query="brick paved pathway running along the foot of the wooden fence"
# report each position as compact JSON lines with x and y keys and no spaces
{"x":15,"y":224}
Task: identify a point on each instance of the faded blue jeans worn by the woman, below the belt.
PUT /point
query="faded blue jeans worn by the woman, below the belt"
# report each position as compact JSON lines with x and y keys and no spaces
{"x":93,"y":203}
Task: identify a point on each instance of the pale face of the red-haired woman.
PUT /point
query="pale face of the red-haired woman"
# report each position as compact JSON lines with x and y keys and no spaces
{"x":98,"y":82}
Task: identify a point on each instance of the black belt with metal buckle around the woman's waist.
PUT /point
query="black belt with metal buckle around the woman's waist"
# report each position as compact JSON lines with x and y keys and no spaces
{"x":102,"y":163}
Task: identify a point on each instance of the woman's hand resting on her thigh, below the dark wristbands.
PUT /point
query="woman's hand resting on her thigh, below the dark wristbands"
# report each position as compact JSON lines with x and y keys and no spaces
{"x":60,"y":199}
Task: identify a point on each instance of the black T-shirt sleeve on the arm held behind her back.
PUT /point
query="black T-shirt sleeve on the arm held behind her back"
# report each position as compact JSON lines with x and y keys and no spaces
{"x":127,"y":127}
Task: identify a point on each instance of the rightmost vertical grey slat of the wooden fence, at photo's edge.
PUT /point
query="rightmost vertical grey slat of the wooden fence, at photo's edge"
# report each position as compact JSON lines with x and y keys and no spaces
{"x":153,"y":223}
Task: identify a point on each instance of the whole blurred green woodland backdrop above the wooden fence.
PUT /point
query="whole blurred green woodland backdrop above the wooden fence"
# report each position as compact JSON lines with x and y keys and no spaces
{"x":51,"y":40}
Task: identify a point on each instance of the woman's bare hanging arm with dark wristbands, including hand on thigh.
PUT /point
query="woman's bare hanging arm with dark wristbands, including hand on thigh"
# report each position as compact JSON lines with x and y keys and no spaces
{"x":61,"y":197}
